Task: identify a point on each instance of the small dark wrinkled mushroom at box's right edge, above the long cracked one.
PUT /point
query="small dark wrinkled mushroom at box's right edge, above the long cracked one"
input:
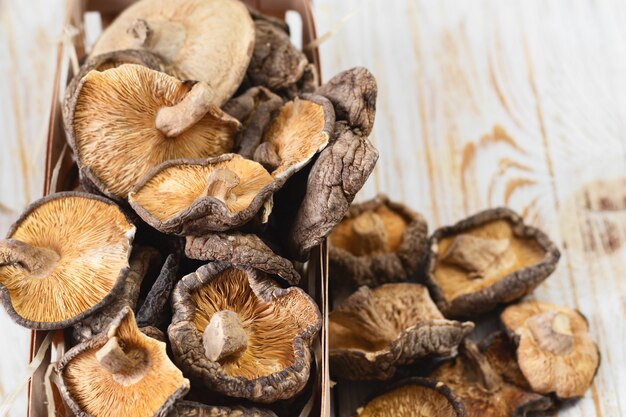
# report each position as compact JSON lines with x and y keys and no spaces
{"x":353,"y":94}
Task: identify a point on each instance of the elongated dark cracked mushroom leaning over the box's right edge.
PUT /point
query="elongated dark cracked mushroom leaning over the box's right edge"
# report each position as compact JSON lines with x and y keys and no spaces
{"x":337,"y":175}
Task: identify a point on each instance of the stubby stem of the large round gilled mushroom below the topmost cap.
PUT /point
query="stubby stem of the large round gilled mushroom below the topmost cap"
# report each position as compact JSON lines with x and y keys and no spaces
{"x":174,"y":120}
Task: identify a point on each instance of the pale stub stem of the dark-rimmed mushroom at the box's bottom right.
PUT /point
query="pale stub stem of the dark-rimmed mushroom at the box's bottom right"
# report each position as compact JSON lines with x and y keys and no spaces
{"x":224,"y":336}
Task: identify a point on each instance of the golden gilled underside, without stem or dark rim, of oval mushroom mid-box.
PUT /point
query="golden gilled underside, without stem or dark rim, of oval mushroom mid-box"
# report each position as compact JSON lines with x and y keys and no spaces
{"x":175,"y":188}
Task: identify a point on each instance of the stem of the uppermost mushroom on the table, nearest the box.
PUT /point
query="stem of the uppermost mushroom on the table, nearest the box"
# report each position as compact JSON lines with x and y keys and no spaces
{"x":370,"y":235}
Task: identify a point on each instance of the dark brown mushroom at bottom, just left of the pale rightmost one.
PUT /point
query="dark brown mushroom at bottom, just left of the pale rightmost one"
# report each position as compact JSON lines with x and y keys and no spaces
{"x":483,"y":391}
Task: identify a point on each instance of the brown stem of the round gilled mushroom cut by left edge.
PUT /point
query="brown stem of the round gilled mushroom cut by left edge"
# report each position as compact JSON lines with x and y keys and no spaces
{"x":36,"y":260}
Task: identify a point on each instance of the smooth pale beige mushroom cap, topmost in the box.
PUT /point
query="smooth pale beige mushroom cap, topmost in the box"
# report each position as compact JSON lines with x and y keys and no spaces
{"x":204,"y":40}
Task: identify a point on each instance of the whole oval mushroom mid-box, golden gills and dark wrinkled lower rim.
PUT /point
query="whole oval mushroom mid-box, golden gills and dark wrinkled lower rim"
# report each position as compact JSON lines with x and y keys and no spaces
{"x":174,"y":198}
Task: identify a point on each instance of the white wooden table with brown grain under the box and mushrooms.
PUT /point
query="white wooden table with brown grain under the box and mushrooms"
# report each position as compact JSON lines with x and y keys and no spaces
{"x":481,"y":104}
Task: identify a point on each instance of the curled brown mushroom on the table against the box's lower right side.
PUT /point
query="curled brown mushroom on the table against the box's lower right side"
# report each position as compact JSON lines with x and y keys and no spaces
{"x":373,"y":331}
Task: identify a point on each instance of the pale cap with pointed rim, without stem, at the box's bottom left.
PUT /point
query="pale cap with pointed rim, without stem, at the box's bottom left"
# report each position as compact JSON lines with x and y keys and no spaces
{"x":99,"y":393}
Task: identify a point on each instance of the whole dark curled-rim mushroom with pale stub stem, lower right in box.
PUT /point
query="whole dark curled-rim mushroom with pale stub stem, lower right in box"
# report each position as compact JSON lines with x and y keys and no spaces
{"x":240,"y":334}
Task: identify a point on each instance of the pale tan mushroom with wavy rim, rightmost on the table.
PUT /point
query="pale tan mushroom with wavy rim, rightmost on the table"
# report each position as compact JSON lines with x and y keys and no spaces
{"x":554,"y":352}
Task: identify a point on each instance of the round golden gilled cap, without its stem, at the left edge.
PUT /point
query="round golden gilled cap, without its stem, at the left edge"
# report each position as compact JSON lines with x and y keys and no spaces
{"x":92,"y":240}
